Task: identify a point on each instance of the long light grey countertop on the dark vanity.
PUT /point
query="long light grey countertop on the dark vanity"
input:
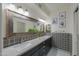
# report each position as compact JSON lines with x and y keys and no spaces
{"x":23,"y":47}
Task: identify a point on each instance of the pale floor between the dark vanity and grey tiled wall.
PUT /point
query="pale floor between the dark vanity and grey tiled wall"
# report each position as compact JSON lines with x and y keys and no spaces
{"x":58,"y":52}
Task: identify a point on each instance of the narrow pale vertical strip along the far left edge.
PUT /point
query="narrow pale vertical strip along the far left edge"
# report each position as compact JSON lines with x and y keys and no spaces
{"x":0,"y":29}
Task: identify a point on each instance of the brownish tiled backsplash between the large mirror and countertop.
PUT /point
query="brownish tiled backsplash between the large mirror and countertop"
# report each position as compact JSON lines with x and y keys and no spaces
{"x":20,"y":37}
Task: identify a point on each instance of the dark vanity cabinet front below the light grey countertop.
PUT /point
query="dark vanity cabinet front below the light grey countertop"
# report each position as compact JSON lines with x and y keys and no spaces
{"x":40,"y":50}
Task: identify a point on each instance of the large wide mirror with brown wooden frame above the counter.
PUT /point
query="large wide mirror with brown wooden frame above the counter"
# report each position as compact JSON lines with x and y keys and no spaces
{"x":18,"y":23}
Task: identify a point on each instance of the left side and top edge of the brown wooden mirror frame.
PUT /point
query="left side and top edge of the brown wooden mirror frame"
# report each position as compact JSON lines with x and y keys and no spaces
{"x":9,"y":21}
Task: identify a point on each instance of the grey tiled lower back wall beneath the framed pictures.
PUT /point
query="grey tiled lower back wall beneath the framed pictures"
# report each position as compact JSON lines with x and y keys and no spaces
{"x":63,"y":41}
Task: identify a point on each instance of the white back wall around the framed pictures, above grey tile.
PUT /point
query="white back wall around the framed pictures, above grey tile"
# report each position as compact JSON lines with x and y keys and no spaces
{"x":70,"y":26}
